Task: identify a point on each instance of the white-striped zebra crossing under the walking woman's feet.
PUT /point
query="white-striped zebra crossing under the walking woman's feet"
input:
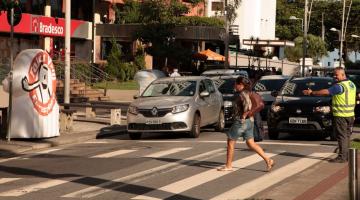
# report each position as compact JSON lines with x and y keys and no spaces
{"x":187,"y":170}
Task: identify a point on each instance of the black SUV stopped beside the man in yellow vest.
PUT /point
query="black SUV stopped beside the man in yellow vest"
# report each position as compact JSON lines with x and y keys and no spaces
{"x":293,"y":112}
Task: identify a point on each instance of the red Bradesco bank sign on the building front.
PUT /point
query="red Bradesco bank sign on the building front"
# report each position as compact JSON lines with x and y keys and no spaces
{"x":47,"y":26}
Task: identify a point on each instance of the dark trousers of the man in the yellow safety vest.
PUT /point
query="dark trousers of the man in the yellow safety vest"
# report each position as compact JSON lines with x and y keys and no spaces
{"x":343,"y":129}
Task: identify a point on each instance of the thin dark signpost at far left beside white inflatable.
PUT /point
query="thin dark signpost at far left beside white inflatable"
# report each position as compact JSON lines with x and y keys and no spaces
{"x":8,"y":136}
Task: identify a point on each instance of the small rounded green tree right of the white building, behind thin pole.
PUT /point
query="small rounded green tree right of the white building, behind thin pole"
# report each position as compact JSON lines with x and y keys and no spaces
{"x":316,"y":48}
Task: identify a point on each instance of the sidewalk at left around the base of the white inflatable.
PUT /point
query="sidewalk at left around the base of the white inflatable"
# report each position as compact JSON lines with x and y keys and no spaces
{"x":82,"y":131}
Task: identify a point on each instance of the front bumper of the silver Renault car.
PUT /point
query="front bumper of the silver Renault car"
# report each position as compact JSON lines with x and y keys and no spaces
{"x":179,"y":122}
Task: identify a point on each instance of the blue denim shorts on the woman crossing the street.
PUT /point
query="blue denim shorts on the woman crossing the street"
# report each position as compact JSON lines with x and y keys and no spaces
{"x":238,"y":129}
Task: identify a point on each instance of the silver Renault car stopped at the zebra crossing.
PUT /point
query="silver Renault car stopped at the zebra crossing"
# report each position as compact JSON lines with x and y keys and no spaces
{"x":176,"y":104}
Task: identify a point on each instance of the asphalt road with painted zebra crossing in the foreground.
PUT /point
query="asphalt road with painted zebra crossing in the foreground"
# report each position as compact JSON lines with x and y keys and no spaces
{"x":161,"y":166}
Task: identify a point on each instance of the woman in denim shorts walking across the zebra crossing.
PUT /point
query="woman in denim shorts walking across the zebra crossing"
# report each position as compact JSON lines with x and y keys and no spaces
{"x":243,"y":125}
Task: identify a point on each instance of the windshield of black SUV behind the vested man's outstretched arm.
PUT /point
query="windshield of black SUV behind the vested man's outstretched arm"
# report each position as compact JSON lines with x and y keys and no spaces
{"x":295,"y":87}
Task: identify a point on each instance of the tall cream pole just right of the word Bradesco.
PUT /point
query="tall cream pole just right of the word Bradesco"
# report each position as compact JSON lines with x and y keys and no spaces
{"x":67,"y":51}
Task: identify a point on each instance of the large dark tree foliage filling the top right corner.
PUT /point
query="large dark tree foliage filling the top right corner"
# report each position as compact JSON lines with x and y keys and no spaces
{"x":290,"y":29}
